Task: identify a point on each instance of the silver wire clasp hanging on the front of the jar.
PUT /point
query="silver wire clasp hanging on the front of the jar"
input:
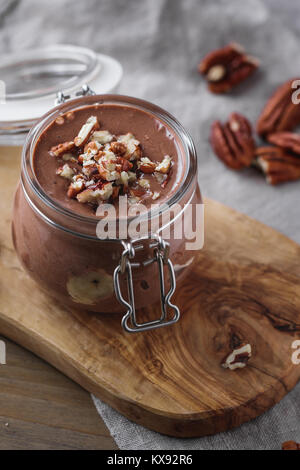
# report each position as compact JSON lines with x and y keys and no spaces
{"x":161,"y":257}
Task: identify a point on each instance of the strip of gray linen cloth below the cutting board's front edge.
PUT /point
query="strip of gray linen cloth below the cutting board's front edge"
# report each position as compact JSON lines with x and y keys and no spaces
{"x":267,"y":432}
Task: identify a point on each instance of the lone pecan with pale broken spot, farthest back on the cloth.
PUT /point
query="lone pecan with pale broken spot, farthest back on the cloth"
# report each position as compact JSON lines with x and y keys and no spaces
{"x":224,"y":68}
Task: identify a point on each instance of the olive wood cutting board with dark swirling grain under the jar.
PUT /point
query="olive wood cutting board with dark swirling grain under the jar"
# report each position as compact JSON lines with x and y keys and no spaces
{"x":244,"y":284}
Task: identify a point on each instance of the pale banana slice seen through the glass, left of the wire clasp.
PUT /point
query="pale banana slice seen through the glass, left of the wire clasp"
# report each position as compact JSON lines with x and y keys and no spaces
{"x":90,"y":287}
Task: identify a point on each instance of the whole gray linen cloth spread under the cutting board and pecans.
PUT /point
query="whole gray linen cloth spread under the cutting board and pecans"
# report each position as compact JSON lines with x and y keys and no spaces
{"x":159,"y":43}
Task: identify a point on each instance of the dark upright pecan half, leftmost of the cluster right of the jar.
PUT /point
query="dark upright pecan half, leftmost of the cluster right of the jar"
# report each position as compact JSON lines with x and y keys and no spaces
{"x":233,"y":142}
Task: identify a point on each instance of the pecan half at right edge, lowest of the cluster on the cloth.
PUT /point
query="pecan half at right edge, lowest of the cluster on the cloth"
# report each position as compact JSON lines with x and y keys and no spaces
{"x":278,"y":165}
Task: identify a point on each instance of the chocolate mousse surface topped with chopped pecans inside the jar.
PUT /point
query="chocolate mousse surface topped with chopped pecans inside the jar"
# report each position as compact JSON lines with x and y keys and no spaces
{"x":97,"y":153}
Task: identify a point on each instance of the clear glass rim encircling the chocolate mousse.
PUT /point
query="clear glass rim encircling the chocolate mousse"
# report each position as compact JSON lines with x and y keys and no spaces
{"x":73,"y":104}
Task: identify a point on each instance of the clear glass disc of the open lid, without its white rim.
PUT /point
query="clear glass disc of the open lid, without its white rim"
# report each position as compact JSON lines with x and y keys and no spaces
{"x":41,"y":72}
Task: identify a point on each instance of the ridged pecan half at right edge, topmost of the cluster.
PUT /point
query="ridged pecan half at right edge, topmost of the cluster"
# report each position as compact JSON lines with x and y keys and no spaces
{"x":280,"y":113}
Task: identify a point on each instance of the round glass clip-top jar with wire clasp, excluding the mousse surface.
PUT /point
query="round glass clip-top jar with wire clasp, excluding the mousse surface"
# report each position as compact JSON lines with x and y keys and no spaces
{"x":62,"y":251}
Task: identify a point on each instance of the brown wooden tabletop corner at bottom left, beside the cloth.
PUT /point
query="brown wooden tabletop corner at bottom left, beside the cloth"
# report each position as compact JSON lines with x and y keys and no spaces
{"x":41,"y":409}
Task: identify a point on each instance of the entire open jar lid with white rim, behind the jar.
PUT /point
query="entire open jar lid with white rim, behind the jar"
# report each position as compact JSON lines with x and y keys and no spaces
{"x":32,"y":78}
